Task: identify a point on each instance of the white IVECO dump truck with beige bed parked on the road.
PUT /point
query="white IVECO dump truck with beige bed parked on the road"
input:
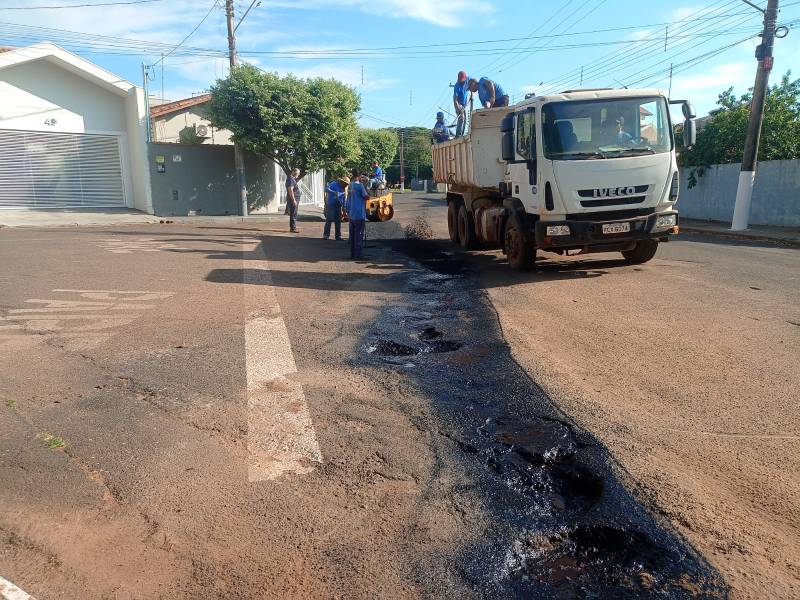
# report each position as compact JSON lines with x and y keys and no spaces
{"x":576,"y":172}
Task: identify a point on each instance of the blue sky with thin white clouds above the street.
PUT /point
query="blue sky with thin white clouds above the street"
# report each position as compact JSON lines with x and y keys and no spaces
{"x":525,"y":46}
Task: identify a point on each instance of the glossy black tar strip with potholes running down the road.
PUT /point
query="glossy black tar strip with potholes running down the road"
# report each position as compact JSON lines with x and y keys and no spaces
{"x":560,"y":523}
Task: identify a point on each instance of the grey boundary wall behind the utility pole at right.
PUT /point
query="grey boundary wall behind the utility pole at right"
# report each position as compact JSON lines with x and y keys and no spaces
{"x":776,"y":195}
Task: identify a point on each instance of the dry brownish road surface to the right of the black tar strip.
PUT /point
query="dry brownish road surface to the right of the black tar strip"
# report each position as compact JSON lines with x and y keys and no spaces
{"x":687,"y":368}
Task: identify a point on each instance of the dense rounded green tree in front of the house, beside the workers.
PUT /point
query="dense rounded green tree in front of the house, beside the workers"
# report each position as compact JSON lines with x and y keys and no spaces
{"x":305,"y":123}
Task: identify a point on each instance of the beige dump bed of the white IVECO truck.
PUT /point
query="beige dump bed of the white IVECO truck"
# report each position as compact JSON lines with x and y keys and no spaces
{"x":474,"y":160}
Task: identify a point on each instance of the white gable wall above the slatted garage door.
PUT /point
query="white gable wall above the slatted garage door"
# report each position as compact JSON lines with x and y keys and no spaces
{"x":38,"y":91}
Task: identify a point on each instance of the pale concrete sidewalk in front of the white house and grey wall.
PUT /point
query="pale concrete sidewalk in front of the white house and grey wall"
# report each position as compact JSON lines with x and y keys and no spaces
{"x":103,"y":217}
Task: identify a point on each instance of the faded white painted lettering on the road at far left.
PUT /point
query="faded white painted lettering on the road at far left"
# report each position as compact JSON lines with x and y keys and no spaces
{"x":78,"y":324}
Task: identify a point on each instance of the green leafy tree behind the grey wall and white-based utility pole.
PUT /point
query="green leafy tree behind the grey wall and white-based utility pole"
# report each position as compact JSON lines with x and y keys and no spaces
{"x":722,"y":138}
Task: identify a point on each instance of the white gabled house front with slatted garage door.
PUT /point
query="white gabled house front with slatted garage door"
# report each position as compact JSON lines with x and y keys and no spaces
{"x":72,"y":135}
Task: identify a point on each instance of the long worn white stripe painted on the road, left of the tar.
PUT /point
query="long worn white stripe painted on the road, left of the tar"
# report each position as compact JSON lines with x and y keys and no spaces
{"x":280,"y":434}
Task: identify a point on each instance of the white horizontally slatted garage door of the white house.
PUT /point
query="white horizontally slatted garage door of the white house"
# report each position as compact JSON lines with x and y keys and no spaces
{"x":59,"y":170}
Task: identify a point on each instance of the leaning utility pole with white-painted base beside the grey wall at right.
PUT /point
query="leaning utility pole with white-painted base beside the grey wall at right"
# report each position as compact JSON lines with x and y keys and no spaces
{"x":747,"y":176}
